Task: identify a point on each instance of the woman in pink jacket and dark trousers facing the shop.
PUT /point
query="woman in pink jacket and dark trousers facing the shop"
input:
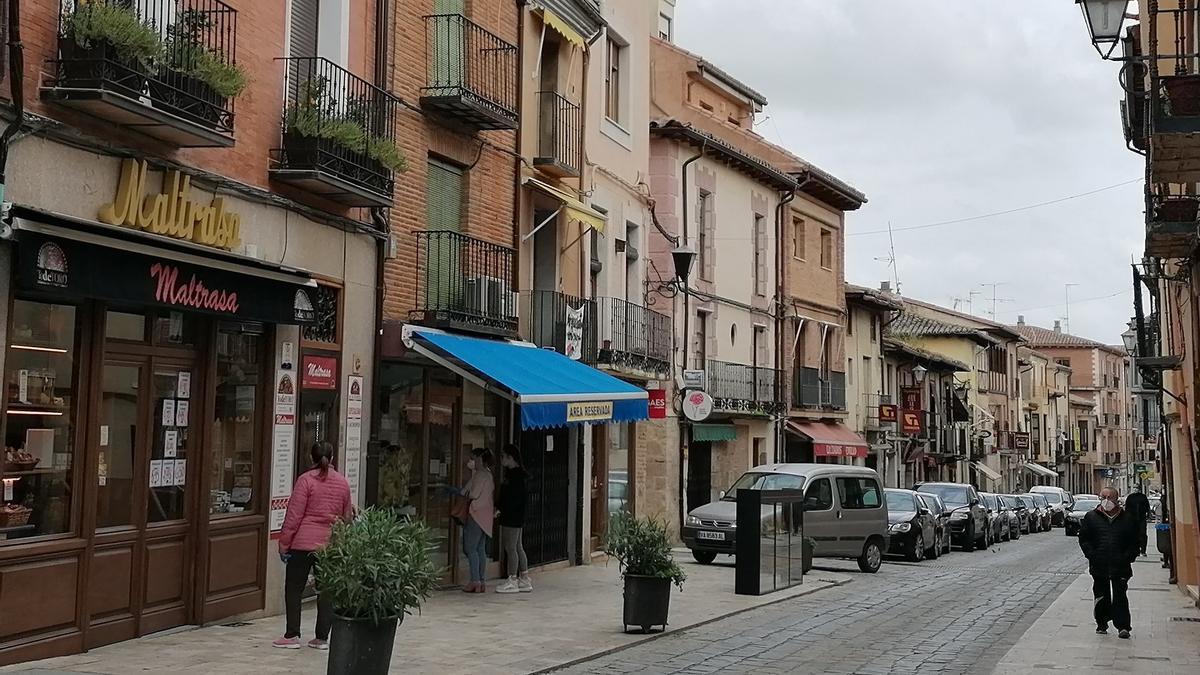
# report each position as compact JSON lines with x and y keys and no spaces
{"x":320,"y":499}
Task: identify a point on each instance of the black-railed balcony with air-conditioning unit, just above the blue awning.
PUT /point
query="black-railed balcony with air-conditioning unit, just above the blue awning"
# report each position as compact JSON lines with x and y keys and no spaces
{"x":465,"y":284}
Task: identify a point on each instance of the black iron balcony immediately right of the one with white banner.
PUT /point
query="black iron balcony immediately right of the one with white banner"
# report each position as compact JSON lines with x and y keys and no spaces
{"x":634,"y":339}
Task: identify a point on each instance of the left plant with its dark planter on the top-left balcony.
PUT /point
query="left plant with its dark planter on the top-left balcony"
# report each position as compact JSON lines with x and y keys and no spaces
{"x":109,"y":43}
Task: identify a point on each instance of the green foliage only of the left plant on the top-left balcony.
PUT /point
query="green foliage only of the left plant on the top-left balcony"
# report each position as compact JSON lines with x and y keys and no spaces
{"x":103,"y":23}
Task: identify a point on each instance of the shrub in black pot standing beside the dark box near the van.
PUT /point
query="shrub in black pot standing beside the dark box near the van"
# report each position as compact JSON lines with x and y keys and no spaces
{"x":644,"y":552}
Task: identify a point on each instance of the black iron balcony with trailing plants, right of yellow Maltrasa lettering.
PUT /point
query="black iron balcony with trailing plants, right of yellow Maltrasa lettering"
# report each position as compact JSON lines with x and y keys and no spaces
{"x":338,"y":135}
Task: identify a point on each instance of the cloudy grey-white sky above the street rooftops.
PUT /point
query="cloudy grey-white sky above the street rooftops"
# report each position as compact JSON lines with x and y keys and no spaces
{"x":949,"y":110}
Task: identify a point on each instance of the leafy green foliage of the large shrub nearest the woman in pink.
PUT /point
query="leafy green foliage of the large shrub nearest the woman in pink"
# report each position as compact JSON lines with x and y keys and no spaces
{"x":377,"y":568}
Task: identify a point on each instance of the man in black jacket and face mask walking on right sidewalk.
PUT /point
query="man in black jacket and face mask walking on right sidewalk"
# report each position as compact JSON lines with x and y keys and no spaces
{"x":1109,"y":540}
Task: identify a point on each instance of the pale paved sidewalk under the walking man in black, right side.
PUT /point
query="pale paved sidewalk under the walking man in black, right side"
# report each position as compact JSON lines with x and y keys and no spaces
{"x":1064,"y":640}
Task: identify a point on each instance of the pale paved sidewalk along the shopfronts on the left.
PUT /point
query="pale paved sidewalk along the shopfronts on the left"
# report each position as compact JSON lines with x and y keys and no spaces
{"x":573,"y":614}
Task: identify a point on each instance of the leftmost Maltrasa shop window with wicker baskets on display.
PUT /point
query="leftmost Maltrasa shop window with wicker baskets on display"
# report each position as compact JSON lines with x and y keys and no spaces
{"x":40,"y":397}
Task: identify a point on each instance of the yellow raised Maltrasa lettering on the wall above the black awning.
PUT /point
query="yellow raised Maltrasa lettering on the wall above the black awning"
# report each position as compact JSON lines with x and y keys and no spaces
{"x":172,"y":212}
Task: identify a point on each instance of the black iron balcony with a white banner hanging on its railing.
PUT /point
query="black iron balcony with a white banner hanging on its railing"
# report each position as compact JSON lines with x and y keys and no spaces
{"x":561,"y":322}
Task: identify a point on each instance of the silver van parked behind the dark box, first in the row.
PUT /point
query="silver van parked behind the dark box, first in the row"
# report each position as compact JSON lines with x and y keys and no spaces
{"x":845,"y":512}
